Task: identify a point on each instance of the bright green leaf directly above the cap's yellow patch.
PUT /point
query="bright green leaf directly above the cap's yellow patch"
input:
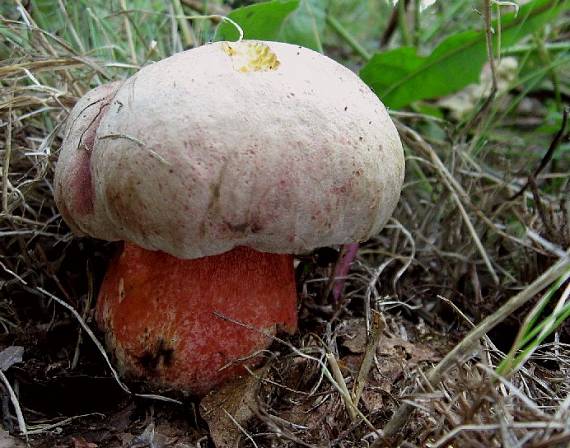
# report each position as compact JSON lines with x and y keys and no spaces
{"x":263,"y":21}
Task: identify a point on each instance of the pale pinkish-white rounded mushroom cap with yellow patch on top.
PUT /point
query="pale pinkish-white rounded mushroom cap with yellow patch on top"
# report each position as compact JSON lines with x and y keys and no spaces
{"x":260,"y":144}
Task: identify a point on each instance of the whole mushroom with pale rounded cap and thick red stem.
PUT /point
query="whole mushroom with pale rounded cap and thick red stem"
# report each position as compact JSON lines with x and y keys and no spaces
{"x":214,"y":166}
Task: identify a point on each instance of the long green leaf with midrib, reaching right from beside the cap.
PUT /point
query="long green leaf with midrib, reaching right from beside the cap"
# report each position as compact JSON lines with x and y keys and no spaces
{"x":400,"y":77}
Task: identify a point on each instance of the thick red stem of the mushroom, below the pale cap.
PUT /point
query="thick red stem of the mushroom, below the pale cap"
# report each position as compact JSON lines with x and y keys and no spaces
{"x":164,"y":317}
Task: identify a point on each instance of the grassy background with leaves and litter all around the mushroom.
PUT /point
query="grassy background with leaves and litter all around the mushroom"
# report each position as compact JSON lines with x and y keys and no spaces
{"x":443,"y":274}
